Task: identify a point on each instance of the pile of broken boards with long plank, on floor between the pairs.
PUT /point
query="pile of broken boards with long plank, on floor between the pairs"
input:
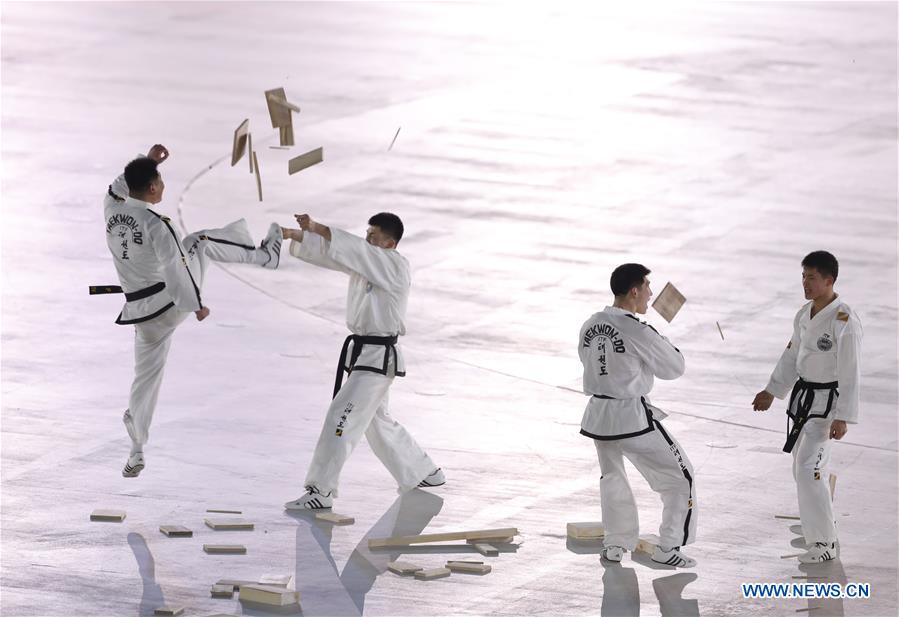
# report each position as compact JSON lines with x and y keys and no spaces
{"x":484,"y":541}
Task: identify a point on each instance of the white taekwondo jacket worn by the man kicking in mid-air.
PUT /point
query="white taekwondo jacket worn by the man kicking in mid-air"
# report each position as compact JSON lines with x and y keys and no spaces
{"x":153,"y":270}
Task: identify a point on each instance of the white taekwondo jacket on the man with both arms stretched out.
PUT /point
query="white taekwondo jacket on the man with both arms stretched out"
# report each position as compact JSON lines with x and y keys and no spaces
{"x":377,"y":295}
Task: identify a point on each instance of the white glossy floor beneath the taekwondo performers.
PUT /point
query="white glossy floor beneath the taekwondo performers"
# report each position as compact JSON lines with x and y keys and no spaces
{"x":539,"y":148}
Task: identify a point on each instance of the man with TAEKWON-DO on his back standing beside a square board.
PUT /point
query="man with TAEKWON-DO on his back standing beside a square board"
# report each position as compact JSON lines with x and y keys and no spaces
{"x":621,"y":356}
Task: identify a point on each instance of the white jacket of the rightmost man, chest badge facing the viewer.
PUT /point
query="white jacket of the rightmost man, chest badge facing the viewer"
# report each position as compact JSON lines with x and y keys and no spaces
{"x":822,"y":350}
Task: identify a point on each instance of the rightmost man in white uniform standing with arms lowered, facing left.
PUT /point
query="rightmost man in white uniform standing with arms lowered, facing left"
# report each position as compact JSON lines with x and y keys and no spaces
{"x":821,"y":365}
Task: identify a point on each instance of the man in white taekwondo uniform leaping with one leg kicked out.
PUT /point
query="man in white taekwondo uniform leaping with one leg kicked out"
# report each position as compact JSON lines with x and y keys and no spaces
{"x":161,"y":276}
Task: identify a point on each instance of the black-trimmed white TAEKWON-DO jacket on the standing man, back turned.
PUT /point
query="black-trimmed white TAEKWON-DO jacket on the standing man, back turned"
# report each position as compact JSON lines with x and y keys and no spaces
{"x":621,"y":357}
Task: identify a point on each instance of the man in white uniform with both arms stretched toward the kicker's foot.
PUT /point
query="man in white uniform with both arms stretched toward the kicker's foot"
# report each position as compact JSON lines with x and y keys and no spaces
{"x":376,"y":309}
